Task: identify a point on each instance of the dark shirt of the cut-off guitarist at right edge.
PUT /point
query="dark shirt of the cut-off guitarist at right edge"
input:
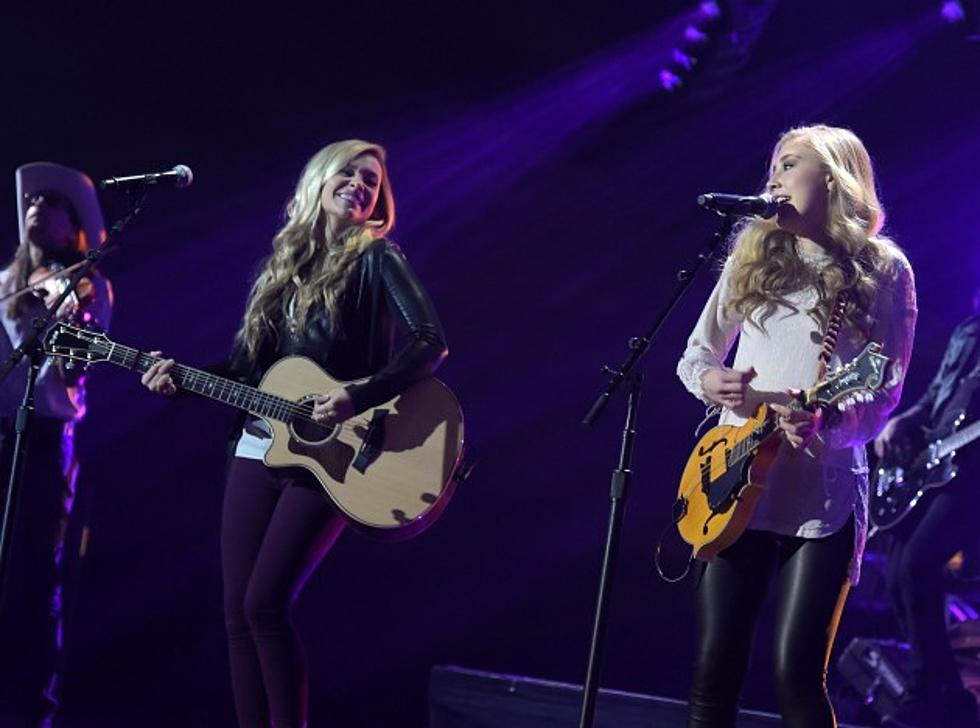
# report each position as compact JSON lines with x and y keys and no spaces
{"x":952,"y":389}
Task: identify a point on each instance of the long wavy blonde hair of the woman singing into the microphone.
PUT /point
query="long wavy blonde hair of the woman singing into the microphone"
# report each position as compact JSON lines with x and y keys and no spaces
{"x":767,"y":266}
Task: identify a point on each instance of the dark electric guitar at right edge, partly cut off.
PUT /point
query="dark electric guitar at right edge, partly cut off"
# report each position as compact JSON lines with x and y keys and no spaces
{"x":897,"y":488}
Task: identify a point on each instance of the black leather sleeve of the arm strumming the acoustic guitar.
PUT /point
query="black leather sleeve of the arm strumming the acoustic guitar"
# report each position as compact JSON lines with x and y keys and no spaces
{"x":417,"y":321}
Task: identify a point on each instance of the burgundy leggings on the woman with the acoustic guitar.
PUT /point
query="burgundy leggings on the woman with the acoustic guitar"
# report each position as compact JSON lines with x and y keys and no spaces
{"x":276,"y":526}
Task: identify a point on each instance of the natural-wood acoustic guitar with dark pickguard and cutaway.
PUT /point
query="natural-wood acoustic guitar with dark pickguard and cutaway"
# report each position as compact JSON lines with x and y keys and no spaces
{"x":389,"y":470}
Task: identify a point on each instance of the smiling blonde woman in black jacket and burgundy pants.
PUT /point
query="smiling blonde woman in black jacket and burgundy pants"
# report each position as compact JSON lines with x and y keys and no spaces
{"x":337,"y":290}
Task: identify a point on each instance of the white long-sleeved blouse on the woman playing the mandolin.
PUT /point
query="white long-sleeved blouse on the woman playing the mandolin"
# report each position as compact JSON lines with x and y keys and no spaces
{"x":809,"y":494}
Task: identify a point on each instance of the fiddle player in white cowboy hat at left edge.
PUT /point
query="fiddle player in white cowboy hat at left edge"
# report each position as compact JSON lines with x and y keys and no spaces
{"x":59,"y":219}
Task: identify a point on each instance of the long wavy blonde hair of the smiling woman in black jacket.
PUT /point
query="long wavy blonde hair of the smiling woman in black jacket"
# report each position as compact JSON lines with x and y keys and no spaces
{"x":307,"y":266}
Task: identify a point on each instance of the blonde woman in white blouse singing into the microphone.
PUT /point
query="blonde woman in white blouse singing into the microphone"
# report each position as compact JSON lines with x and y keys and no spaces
{"x":775,"y":295}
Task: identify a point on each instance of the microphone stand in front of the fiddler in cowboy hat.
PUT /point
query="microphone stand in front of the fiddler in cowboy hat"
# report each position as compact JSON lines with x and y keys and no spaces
{"x":32,"y":348}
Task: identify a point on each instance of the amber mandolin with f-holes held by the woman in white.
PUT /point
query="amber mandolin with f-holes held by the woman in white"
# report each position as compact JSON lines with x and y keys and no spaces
{"x":725,"y":475}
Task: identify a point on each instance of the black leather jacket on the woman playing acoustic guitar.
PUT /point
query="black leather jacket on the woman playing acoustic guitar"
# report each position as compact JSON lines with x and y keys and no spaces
{"x":383,"y":301}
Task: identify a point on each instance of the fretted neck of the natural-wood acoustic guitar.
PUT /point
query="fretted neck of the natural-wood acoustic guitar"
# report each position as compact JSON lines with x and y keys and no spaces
{"x":212,"y":386}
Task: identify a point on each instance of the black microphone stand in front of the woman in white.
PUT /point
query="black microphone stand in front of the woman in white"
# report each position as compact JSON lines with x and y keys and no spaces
{"x":623,"y":473}
